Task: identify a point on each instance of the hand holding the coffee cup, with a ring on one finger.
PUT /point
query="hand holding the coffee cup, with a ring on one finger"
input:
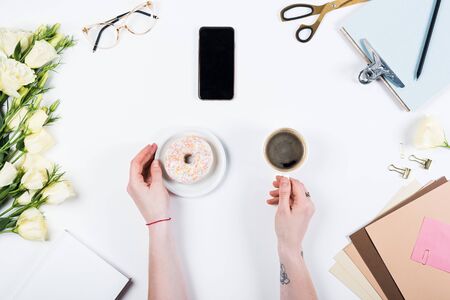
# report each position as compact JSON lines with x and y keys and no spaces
{"x":295,"y":210}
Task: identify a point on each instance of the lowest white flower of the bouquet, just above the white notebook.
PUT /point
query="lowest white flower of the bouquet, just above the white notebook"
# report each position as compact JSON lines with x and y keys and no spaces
{"x":31,"y":225}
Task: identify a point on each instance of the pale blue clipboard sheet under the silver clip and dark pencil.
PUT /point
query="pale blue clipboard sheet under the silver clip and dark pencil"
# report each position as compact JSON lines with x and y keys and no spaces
{"x":397,"y":29}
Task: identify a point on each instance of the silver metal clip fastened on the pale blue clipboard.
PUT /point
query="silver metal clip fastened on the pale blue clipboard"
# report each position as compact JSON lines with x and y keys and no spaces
{"x":377,"y":67}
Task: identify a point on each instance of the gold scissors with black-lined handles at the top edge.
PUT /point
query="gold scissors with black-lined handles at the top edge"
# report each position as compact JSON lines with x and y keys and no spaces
{"x":305,"y":32}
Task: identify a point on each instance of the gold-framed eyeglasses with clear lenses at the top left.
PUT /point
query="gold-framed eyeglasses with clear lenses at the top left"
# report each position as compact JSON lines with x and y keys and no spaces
{"x":111,"y":22}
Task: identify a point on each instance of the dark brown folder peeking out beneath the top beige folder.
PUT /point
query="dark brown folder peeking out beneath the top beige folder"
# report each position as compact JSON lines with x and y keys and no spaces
{"x":370,"y":255}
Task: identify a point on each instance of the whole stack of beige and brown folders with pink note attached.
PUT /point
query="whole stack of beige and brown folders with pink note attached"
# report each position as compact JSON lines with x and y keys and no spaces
{"x":404,"y":253}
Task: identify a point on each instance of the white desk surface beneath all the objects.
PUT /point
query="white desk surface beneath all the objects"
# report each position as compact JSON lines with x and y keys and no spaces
{"x":116,"y":101}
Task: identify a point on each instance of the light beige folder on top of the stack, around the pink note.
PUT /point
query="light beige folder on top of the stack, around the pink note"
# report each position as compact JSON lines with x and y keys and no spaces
{"x":394,"y":237}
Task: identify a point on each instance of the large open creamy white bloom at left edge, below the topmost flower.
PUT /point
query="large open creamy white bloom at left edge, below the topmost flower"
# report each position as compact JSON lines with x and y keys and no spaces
{"x":14,"y":75}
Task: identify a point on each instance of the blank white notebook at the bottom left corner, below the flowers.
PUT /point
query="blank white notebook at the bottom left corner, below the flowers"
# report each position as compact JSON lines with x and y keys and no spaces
{"x":72,"y":271}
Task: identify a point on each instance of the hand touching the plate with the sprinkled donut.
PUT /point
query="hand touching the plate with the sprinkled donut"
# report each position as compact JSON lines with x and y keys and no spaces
{"x":146,"y":185}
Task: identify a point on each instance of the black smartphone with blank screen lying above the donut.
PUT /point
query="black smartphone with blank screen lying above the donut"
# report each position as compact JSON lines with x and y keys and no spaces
{"x":216,"y":63}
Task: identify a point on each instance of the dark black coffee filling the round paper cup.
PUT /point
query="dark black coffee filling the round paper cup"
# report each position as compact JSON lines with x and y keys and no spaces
{"x":284,"y":150}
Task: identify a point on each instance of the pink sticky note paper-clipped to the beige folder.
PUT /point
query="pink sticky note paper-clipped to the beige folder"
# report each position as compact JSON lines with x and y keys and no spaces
{"x":433,"y":245}
